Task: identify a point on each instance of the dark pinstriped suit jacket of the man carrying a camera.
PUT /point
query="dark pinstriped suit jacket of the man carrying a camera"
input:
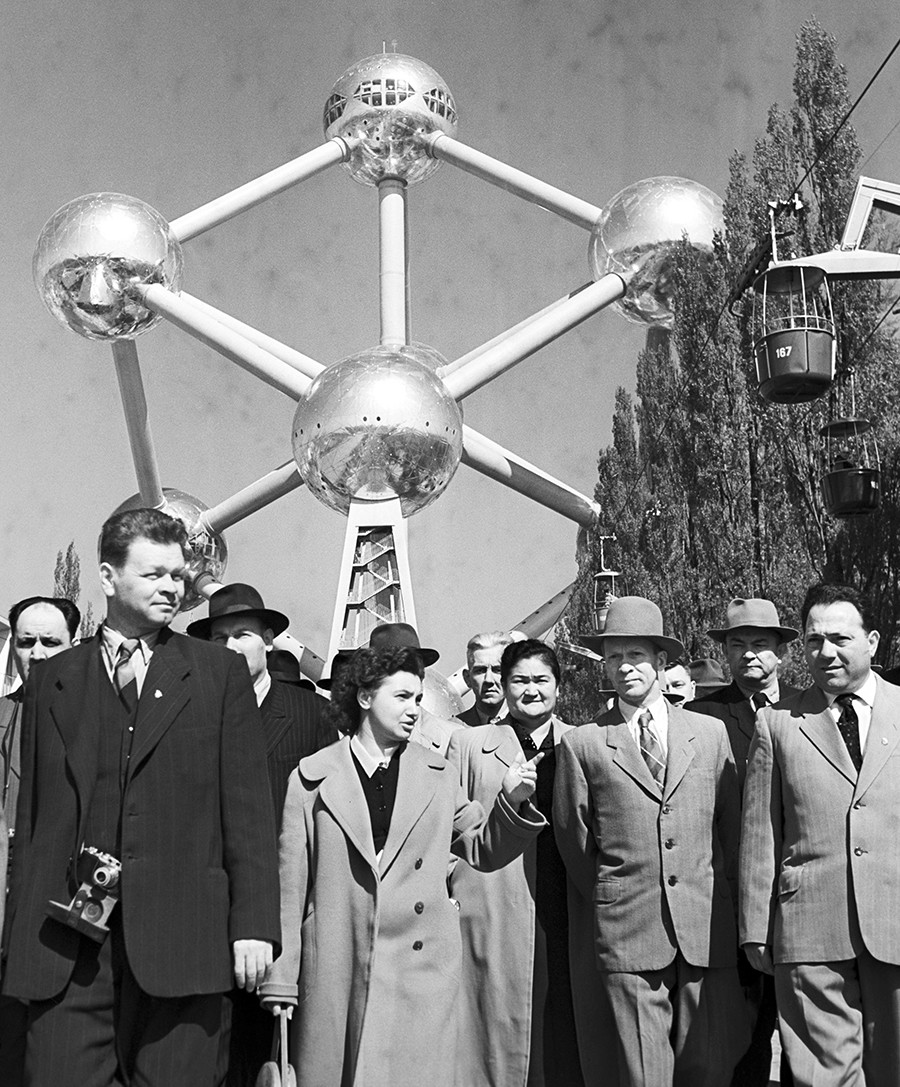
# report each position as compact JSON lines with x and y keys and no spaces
{"x":199,"y":867}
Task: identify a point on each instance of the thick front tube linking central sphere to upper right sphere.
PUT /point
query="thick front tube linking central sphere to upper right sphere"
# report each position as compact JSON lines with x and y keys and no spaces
{"x":523,"y":343}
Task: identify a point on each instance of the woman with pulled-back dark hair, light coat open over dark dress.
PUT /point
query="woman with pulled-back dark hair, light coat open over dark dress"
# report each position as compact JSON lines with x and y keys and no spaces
{"x":517,"y":1010}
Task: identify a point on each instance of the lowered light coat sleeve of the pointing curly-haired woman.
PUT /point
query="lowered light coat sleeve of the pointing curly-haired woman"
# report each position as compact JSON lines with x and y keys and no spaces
{"x":281,"y":984}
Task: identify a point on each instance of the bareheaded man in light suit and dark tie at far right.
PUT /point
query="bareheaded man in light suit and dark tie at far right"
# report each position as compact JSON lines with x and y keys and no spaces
{"x":820,"y":861}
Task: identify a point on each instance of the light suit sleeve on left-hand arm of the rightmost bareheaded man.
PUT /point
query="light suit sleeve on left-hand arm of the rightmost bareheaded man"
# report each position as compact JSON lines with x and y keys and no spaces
{"x":761,"y":841}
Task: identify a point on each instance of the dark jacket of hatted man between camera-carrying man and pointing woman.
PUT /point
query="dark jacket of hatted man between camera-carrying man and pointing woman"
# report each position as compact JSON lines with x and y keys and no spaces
{"x":294,"y":726}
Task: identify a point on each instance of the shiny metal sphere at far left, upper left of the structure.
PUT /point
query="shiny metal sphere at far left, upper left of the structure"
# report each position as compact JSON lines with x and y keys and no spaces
{"x":92,"y":252}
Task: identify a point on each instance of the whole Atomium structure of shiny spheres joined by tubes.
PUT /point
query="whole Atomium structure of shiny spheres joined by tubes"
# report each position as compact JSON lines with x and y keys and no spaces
{"x":380,"y":435}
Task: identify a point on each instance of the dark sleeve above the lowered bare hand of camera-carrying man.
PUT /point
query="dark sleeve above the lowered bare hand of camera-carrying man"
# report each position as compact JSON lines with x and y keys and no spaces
{"x":248,"y":818}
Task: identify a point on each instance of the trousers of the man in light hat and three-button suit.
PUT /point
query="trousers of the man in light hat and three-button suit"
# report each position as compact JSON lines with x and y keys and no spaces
{"x":683,"y":1026}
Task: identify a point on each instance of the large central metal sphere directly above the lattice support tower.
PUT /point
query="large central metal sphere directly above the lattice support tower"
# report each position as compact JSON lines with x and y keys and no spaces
{"x":377,"y":426}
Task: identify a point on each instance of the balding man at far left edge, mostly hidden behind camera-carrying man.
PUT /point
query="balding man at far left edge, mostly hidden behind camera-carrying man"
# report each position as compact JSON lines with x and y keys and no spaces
{"x":40,"y":629}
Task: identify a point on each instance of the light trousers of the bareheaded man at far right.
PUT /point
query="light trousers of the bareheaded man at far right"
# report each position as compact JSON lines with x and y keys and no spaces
{"x":841,"y":1022}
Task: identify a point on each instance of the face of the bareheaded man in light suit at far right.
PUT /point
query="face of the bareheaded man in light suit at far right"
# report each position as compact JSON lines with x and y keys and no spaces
{"x":839,"y":651}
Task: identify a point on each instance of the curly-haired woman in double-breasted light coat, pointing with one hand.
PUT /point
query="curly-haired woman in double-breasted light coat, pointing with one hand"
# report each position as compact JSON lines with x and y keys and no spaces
{"x":371,"y":939}
